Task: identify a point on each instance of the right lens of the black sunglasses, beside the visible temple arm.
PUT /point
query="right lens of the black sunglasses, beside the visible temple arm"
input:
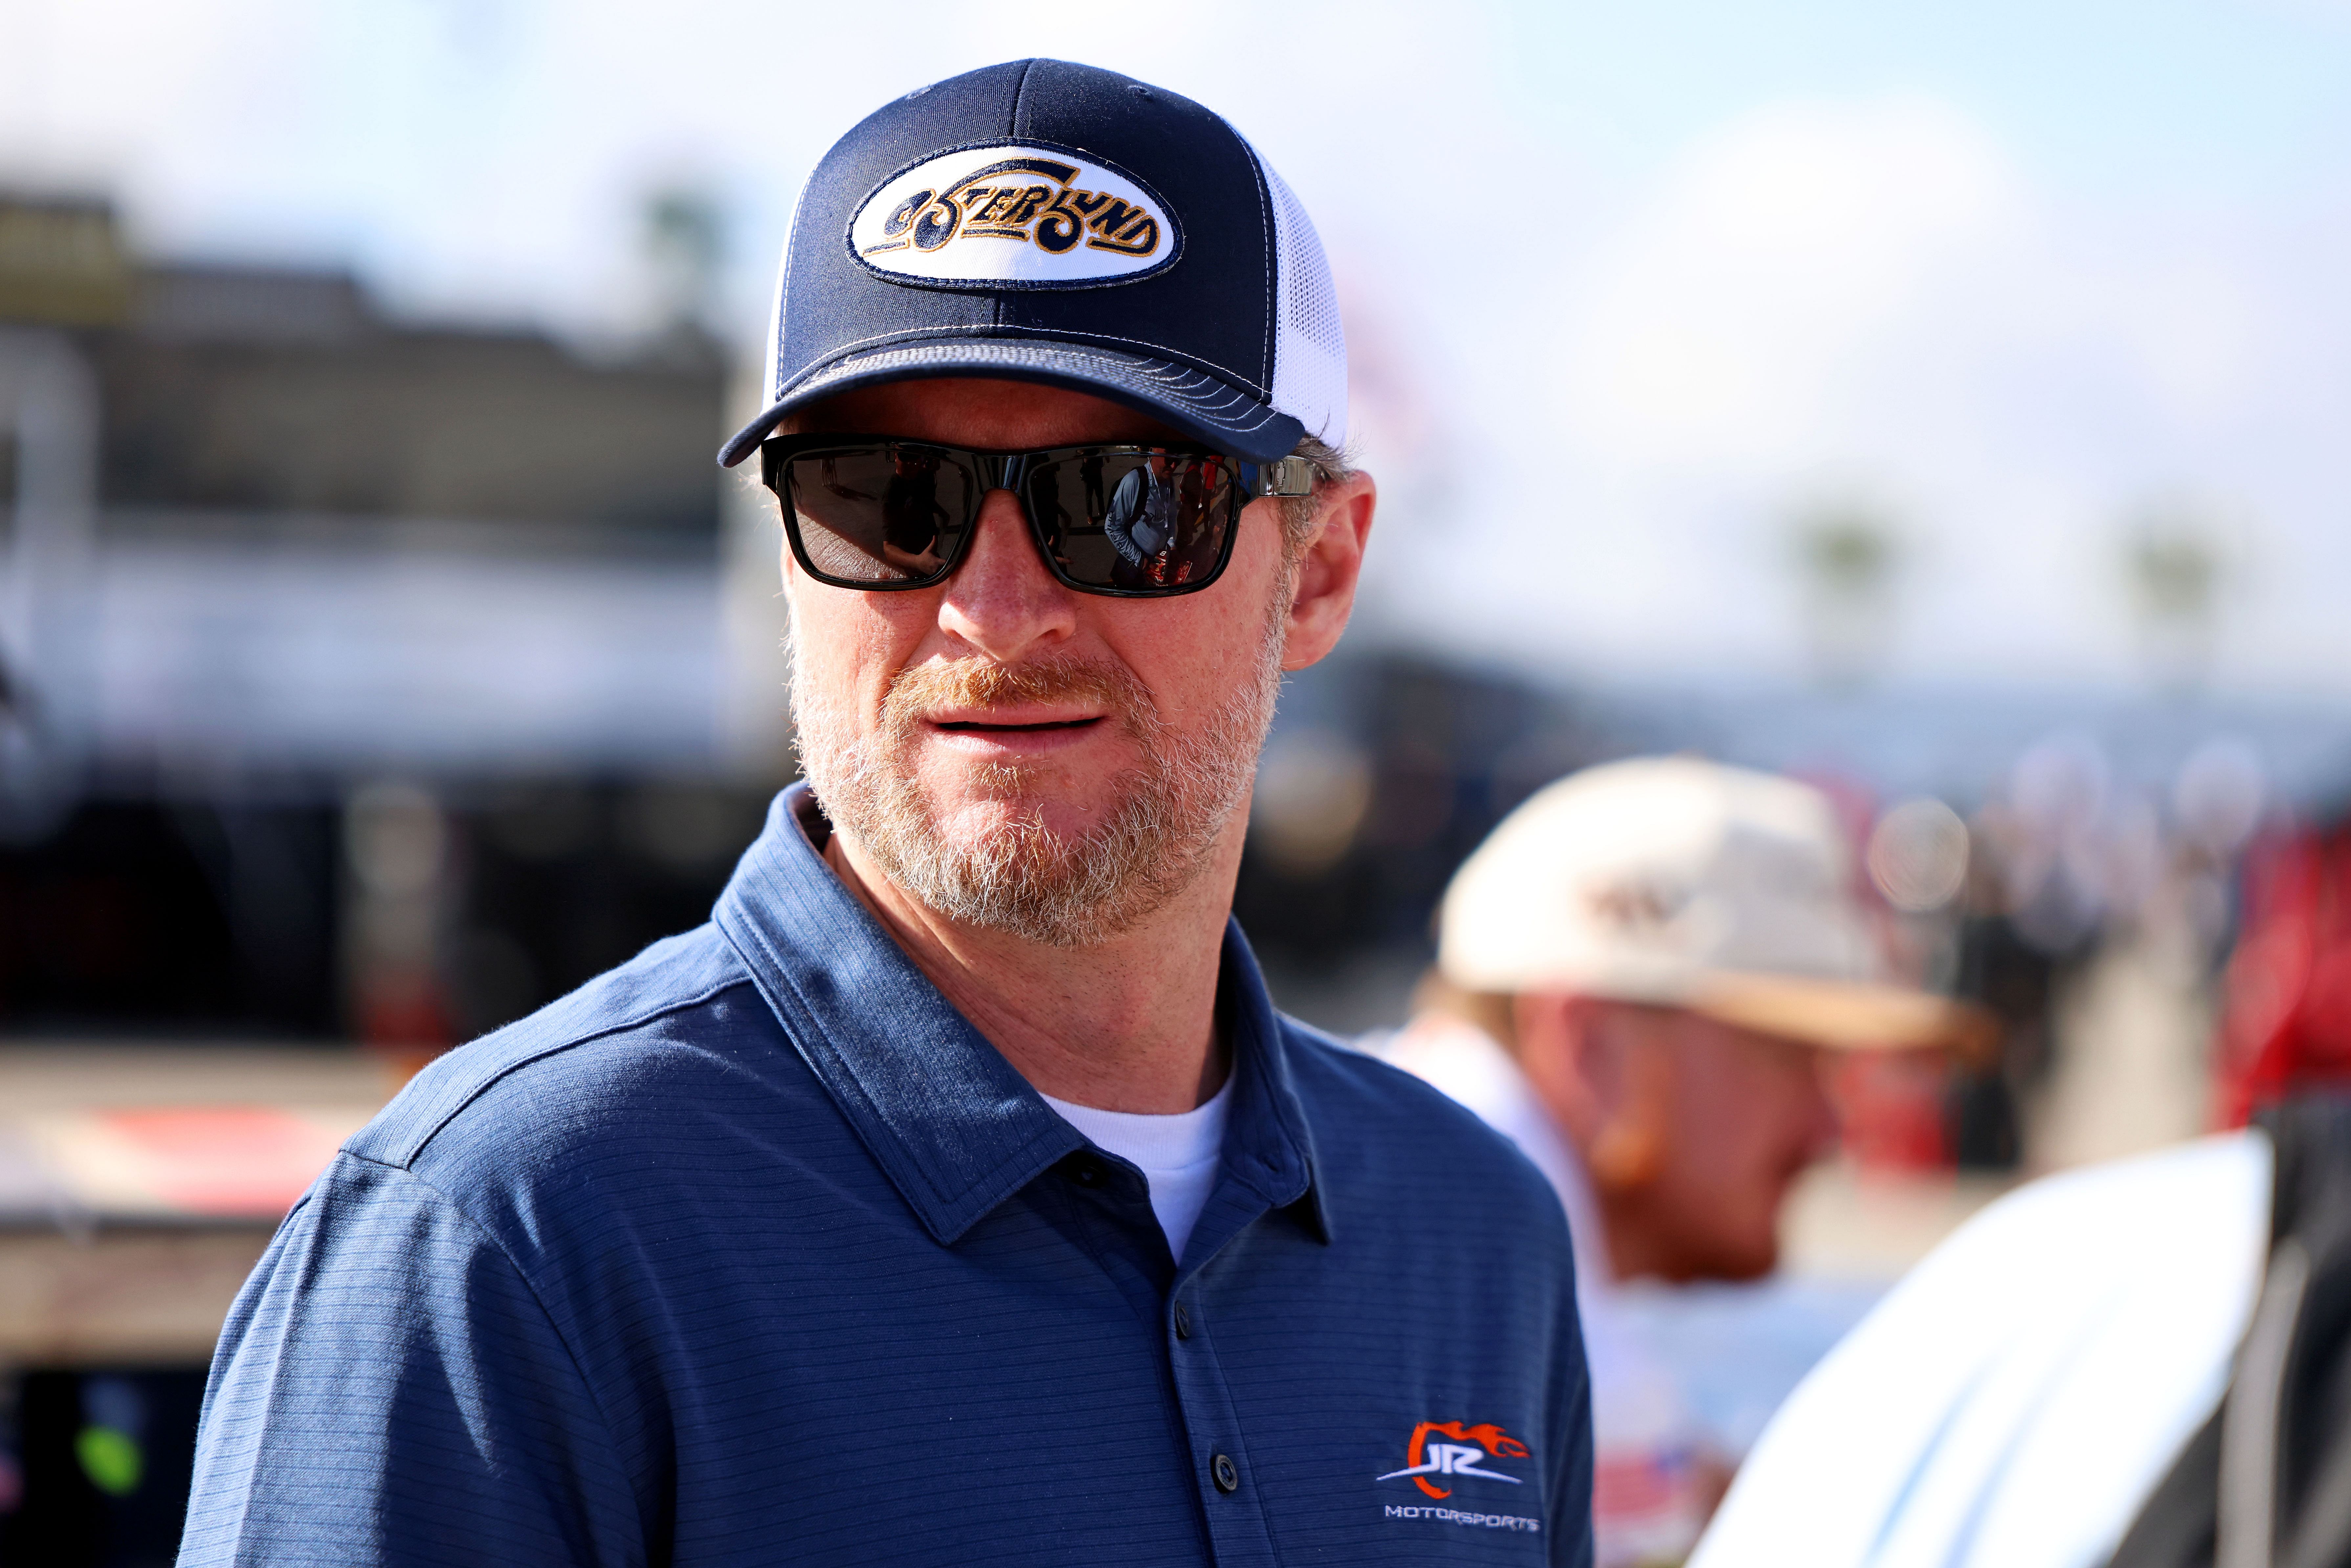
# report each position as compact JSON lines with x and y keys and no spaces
{"x":1137,"y":521}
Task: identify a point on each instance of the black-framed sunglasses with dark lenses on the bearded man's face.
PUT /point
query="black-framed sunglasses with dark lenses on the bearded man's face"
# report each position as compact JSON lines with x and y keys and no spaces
{"x":1134,"y":523}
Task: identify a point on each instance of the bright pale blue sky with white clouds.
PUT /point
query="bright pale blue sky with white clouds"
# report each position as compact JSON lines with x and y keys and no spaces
{"x":1630,"y":286}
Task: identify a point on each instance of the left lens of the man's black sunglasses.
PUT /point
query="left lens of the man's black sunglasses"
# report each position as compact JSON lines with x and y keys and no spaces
{"x":880,"y":516}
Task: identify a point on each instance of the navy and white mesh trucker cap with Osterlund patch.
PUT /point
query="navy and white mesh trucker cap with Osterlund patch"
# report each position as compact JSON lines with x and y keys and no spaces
{"x":1052,"y":222}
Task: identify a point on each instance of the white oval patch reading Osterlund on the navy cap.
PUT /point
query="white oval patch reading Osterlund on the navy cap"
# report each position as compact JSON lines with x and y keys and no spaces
{"x":1014,"y":217}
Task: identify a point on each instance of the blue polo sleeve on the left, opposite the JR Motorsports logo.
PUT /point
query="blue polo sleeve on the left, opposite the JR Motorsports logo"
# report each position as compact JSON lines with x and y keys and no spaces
{"x":389,"y":1391}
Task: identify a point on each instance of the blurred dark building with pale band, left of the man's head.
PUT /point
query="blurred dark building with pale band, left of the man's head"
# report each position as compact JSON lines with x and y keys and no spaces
{"x":359,"y":681}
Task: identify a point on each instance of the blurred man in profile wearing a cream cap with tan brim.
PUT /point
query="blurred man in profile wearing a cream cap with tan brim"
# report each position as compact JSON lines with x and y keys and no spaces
{"x":1637,"y":977}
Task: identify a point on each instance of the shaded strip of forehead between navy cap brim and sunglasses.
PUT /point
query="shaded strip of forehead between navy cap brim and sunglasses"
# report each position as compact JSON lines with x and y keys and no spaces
{"x":982,"y":413}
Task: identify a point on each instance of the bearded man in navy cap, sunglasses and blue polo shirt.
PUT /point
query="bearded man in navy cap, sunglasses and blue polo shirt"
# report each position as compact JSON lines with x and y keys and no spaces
{"x":958,"y":1193}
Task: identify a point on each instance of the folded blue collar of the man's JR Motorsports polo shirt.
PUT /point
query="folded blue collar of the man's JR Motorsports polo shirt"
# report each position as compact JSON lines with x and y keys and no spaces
{"x":946,"y":1118}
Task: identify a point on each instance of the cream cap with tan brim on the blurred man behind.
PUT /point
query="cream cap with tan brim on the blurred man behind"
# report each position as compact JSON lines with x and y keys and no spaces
{"x":1684,"y":883}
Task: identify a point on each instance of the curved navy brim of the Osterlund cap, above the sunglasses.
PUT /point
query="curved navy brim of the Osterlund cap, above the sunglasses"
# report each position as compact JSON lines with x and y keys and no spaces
{"x":1181,"y":396}
